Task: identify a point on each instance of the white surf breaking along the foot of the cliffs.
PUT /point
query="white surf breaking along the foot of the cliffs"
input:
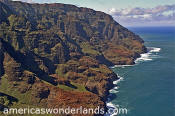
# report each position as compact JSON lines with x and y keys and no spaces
{"x":143,"y":57}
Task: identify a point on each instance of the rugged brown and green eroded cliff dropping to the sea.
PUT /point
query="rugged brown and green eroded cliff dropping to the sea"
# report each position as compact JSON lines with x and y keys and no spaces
{"x":58,"y":55}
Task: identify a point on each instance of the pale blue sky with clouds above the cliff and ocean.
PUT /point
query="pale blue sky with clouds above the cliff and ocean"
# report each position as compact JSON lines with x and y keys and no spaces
{"x":129,"y":12}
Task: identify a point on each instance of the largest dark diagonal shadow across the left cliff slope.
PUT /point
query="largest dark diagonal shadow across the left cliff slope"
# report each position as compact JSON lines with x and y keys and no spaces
{"x":28,"y":62}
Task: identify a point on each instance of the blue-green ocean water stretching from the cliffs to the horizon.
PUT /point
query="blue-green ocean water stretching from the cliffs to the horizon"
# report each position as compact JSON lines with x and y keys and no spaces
{"x":148,"y":88}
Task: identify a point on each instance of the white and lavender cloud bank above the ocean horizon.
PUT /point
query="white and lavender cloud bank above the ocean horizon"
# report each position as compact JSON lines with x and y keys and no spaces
{"x":157,"y":15}
